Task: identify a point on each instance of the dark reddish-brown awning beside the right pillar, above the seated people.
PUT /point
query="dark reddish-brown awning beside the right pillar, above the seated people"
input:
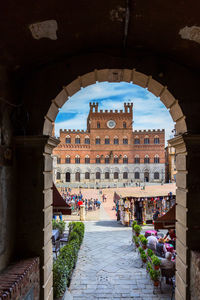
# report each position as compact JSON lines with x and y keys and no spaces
{"x":167,"y":221}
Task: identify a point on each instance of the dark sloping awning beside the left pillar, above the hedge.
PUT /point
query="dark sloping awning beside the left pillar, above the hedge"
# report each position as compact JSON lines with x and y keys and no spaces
{"x":59,"y":204}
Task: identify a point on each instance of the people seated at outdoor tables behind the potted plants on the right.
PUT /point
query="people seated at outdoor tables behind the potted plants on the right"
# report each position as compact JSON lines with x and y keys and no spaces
{"x":157,"y":245}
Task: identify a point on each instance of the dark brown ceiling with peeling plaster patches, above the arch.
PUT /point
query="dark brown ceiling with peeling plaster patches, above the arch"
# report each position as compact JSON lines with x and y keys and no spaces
{"x":90,"y":26}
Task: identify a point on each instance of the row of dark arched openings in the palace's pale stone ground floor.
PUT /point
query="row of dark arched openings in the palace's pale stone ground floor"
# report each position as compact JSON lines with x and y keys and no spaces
{"x":98,"y":175}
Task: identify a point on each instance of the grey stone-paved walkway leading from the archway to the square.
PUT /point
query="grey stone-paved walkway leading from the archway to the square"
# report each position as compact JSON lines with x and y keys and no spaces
{"x":108,"y":267}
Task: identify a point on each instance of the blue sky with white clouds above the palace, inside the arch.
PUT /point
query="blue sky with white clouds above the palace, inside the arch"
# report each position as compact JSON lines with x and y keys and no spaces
{"x":148,"y":110}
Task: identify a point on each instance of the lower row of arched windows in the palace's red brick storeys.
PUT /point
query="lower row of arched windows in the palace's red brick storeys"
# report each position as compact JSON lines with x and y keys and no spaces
{"x":107,"y":159}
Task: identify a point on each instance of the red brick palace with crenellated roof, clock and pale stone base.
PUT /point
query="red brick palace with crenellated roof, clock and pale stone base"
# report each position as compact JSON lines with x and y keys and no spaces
{"x":109,"y":153}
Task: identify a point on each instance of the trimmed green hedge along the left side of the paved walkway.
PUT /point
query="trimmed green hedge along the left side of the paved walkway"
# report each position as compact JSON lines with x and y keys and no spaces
{"x":65,"y":263}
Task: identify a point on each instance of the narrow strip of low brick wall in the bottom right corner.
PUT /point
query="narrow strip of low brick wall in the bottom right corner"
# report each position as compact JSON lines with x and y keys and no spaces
{"x":195,"y":275}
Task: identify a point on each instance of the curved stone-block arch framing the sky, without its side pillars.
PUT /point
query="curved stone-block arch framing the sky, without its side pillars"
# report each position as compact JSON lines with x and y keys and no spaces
{"x":117,"y":75}
